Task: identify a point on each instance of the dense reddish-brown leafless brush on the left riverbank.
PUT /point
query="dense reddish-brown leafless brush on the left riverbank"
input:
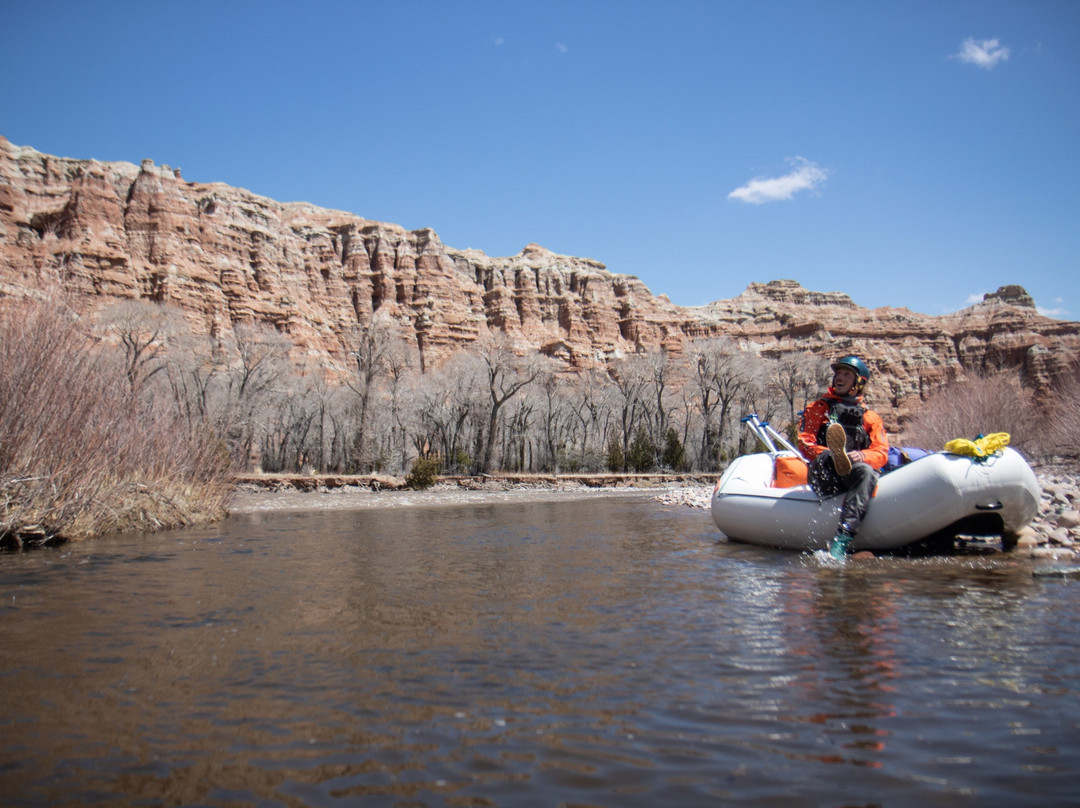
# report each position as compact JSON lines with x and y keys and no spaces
{"x":79,"y":454}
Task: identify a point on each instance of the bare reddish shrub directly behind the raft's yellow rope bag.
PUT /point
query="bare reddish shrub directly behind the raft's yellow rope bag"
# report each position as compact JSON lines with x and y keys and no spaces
{"x":978,"y":406}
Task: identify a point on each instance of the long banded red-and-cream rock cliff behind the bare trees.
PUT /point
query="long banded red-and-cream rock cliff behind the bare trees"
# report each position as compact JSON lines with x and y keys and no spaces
{"x":225,"y":257}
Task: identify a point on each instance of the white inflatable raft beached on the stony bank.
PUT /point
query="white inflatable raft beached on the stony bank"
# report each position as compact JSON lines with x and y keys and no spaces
{"x":933,"y":495}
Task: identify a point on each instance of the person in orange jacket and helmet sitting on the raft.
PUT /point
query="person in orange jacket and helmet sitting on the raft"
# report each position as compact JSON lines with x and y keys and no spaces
{"x":847,"y":446}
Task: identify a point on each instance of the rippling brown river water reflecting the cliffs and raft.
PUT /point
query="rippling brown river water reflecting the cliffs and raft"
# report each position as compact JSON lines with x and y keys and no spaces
{"x":603,"y":652}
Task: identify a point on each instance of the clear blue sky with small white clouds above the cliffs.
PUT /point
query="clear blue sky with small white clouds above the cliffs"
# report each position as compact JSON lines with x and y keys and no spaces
{"x":908,"y":154}
